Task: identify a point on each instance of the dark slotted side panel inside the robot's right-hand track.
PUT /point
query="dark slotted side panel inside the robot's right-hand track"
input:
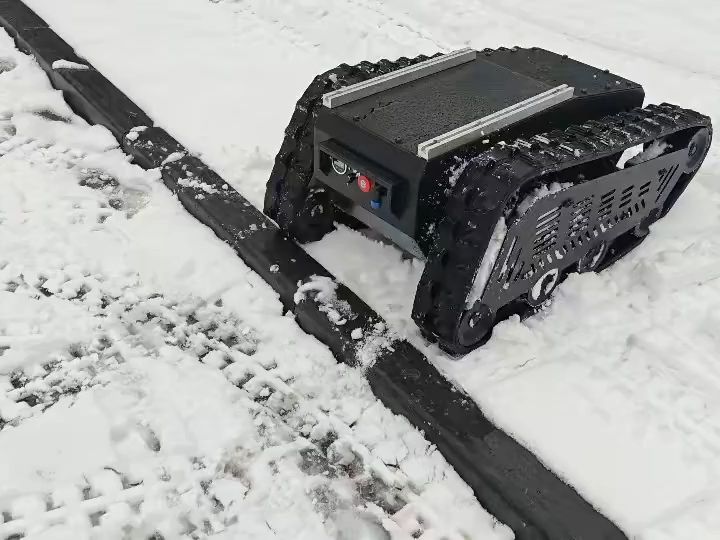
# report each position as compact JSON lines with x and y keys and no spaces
{"x":559,"y":229}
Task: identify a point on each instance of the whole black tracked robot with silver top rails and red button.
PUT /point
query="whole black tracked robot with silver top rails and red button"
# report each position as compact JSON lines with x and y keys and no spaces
{"x":501,"y":168}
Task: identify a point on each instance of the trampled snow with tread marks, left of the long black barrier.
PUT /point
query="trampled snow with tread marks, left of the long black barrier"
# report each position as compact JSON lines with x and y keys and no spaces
{"x":150,"y":386}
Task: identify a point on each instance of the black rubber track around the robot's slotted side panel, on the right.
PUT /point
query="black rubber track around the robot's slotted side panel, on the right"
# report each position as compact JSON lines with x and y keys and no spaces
{"x":471,"y":212}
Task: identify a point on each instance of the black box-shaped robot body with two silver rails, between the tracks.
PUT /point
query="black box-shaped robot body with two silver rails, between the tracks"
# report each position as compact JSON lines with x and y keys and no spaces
{"x":541,"y":91}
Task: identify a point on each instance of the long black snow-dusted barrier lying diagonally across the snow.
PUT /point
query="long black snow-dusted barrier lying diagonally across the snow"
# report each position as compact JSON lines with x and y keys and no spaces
{"x":507,"y":479}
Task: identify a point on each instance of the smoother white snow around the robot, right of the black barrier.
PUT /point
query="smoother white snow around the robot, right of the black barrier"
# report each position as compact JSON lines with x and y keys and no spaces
{"x":616,"y":387}
